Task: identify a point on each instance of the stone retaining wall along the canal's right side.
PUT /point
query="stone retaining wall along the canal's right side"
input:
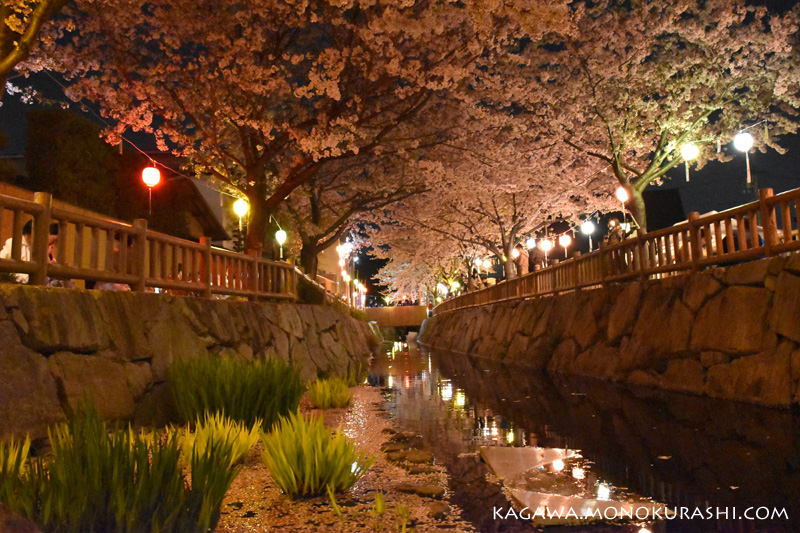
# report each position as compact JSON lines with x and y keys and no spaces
{"x":726,"y":332}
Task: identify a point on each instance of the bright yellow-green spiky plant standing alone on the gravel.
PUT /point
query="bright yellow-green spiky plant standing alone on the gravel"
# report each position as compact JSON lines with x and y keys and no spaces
{"x":305,"y":458}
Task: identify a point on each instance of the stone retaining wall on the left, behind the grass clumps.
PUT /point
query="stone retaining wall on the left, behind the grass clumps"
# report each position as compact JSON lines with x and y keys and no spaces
{"x":58,"y":345}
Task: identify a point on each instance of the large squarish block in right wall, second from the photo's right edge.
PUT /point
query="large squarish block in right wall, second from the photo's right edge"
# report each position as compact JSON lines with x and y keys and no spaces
{"x":733,"y":321}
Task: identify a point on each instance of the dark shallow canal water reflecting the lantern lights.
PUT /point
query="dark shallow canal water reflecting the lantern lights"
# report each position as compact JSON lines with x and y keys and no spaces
{"x":708,"y":456}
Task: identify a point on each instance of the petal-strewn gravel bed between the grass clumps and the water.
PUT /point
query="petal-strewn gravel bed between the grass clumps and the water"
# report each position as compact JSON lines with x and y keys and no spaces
{"x":255,"y":503}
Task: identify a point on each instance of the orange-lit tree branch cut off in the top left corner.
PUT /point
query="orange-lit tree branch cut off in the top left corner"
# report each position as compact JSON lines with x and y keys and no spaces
{"x":21,"y":22}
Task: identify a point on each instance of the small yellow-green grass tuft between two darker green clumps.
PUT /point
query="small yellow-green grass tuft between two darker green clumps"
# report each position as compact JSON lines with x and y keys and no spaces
{"x":213,"y":428}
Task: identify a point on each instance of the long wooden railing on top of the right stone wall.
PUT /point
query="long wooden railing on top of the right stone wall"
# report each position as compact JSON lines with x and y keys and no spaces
{"x":717,"y":239}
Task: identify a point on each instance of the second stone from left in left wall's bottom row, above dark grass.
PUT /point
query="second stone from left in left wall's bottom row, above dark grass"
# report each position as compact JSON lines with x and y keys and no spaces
{"x":101,"y":380}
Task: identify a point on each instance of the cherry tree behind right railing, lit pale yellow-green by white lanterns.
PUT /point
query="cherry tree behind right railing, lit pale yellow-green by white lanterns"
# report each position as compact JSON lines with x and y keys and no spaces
{"x":638,"y":80}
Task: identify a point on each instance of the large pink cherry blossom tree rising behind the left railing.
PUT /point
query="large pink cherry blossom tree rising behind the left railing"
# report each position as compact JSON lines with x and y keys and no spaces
{"x":263,"y":95}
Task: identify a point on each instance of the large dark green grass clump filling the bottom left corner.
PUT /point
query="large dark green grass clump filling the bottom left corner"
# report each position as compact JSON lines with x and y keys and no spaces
{"x":121,"y":481}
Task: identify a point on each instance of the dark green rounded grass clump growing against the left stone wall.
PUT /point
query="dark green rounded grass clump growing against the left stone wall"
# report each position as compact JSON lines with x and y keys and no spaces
{"x":264,"y":389}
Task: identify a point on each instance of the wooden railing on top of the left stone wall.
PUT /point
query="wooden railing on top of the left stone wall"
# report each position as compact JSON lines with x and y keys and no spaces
{"x":102,"y":250}
